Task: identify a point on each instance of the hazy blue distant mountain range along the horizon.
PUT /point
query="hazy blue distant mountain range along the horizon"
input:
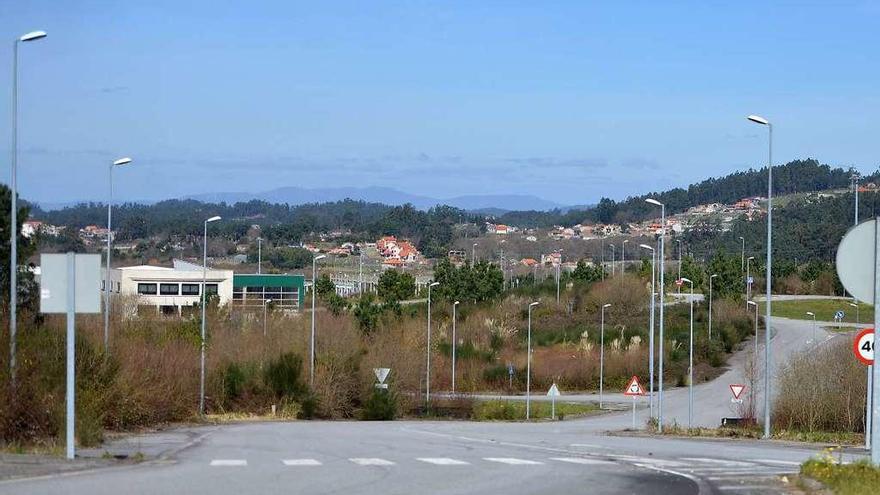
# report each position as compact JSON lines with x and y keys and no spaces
{"x":386,"y":195}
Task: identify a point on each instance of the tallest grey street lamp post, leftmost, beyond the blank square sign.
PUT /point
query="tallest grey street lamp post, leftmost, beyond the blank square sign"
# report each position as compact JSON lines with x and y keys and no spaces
{"x":13,"y":203}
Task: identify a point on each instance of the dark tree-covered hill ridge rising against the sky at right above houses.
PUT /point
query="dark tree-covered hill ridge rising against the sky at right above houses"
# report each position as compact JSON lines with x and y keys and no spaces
{"x":796,"y":176}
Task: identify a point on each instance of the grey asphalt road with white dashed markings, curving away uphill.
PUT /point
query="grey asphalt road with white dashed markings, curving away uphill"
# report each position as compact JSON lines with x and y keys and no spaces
{"x":458,"y":457}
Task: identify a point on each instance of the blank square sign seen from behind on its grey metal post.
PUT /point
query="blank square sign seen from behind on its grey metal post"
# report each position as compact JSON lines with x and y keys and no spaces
{"x":70,"y":283}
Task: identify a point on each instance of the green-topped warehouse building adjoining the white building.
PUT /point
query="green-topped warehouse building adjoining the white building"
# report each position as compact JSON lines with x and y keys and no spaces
{"x":252,"y":291}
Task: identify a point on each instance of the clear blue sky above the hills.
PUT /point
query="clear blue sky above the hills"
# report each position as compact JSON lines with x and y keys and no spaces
{"x":569,"y":101}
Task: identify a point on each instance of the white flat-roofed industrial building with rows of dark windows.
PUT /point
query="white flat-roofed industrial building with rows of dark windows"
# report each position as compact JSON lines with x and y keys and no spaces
{"x":169,"y":290}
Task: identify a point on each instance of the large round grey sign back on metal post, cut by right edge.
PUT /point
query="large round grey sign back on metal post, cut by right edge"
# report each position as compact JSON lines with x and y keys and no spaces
{"x":858,"y":251}
